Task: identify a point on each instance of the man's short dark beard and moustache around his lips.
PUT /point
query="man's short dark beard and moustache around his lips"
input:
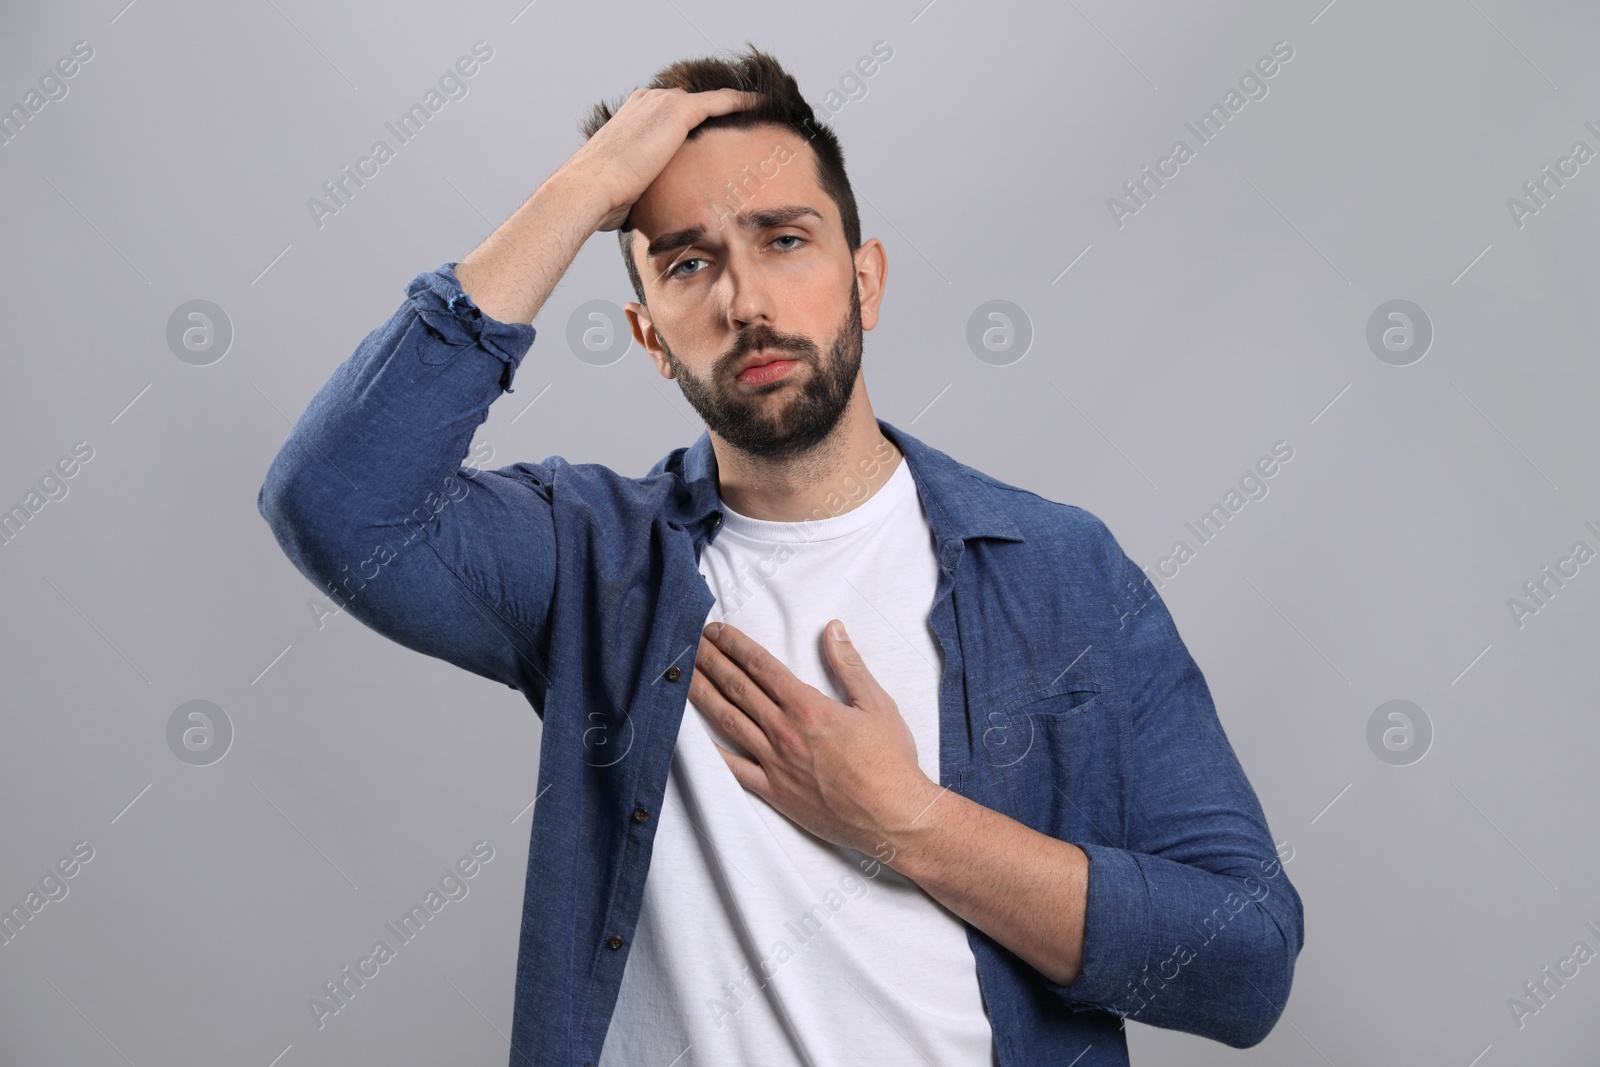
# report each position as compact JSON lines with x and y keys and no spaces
{"x":742,"y":415}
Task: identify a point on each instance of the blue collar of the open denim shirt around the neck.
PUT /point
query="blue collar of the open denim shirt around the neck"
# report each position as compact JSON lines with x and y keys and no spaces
{"x":958,"y":498}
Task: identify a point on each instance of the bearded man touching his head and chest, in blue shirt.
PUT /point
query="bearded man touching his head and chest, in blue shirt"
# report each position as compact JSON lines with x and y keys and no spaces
{"x":980,"y":825}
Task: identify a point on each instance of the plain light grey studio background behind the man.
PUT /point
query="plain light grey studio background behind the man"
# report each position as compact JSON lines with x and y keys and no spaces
{"x":1228,"y":314}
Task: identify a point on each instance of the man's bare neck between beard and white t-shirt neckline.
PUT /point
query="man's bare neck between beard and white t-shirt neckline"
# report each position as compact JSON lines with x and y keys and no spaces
{"x":838,"y":476}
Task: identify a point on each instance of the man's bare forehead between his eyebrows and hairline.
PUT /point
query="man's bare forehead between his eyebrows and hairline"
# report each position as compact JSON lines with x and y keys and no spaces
{"x":727,"y":170}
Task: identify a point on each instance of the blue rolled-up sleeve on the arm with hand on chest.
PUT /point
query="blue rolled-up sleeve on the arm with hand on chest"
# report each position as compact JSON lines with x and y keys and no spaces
{"x":1194,"y":925}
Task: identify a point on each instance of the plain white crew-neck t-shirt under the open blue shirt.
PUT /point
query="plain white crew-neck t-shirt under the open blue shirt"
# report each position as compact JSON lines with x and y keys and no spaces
{"x":761,"y":943}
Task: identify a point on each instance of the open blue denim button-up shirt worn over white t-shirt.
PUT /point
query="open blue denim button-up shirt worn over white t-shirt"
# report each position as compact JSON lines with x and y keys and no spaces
{"x":1068,"y":700}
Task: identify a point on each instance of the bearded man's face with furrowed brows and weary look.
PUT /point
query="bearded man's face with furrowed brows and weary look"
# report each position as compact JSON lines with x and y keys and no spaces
{"x":743,"y":255}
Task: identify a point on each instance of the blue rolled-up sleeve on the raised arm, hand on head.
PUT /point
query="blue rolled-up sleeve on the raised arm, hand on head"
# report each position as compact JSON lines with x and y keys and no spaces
{"x":369,"y":497}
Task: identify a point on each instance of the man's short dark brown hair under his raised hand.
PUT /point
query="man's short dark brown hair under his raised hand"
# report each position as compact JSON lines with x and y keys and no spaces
{"x":783,"y":106}
